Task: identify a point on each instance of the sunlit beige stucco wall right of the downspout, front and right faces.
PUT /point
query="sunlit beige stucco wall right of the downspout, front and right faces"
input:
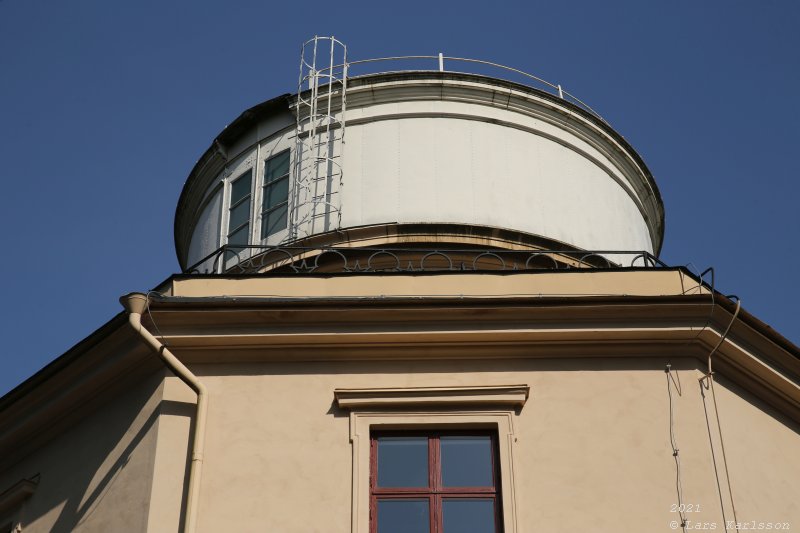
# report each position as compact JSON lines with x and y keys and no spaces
{"x":592,"y":448}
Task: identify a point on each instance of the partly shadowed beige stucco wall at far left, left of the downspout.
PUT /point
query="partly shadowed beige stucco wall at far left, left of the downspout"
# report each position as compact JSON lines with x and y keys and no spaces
{"x":95,"y":476}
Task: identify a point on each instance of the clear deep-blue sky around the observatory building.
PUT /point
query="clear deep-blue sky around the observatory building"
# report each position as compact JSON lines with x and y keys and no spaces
{"x":105,"y":107}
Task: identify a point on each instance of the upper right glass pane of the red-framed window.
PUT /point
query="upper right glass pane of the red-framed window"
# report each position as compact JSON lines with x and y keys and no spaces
{"x":467,"y":461}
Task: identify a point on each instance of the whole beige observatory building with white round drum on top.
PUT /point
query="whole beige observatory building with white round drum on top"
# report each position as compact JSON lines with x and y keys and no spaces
{"x":413,"y":301}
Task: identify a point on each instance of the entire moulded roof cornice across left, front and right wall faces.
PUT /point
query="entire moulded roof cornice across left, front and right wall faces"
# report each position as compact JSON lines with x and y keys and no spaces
{"x":231,"y":330}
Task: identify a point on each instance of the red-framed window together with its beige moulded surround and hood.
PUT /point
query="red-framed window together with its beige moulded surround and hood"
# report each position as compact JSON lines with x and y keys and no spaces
{"x":435,"y":413}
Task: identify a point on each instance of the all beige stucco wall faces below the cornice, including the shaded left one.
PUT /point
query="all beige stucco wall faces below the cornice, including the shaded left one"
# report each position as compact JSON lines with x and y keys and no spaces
{"x":591,"y":448}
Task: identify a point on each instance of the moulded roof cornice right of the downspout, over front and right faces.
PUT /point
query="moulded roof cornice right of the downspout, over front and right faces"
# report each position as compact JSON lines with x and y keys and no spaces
{"x":619,"y":327}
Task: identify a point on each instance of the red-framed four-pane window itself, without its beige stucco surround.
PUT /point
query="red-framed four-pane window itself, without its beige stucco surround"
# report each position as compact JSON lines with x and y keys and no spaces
{"x":425,"y":482}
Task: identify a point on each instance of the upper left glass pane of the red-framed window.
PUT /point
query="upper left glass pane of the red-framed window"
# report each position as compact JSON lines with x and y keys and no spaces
{"x":403,"y":462}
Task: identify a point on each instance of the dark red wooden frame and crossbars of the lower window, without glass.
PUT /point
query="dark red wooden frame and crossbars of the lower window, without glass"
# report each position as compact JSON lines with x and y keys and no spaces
{"x":435,"y":492}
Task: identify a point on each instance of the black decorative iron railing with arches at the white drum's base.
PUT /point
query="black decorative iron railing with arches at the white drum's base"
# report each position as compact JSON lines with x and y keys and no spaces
{"x":311,"y":260}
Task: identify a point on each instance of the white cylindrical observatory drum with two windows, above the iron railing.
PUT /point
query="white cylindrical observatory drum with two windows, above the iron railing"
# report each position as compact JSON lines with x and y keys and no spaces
{"x":429,"y":157}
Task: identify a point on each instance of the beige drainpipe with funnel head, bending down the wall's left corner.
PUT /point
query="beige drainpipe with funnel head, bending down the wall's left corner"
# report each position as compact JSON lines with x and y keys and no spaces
{"x":135,"y":304}
